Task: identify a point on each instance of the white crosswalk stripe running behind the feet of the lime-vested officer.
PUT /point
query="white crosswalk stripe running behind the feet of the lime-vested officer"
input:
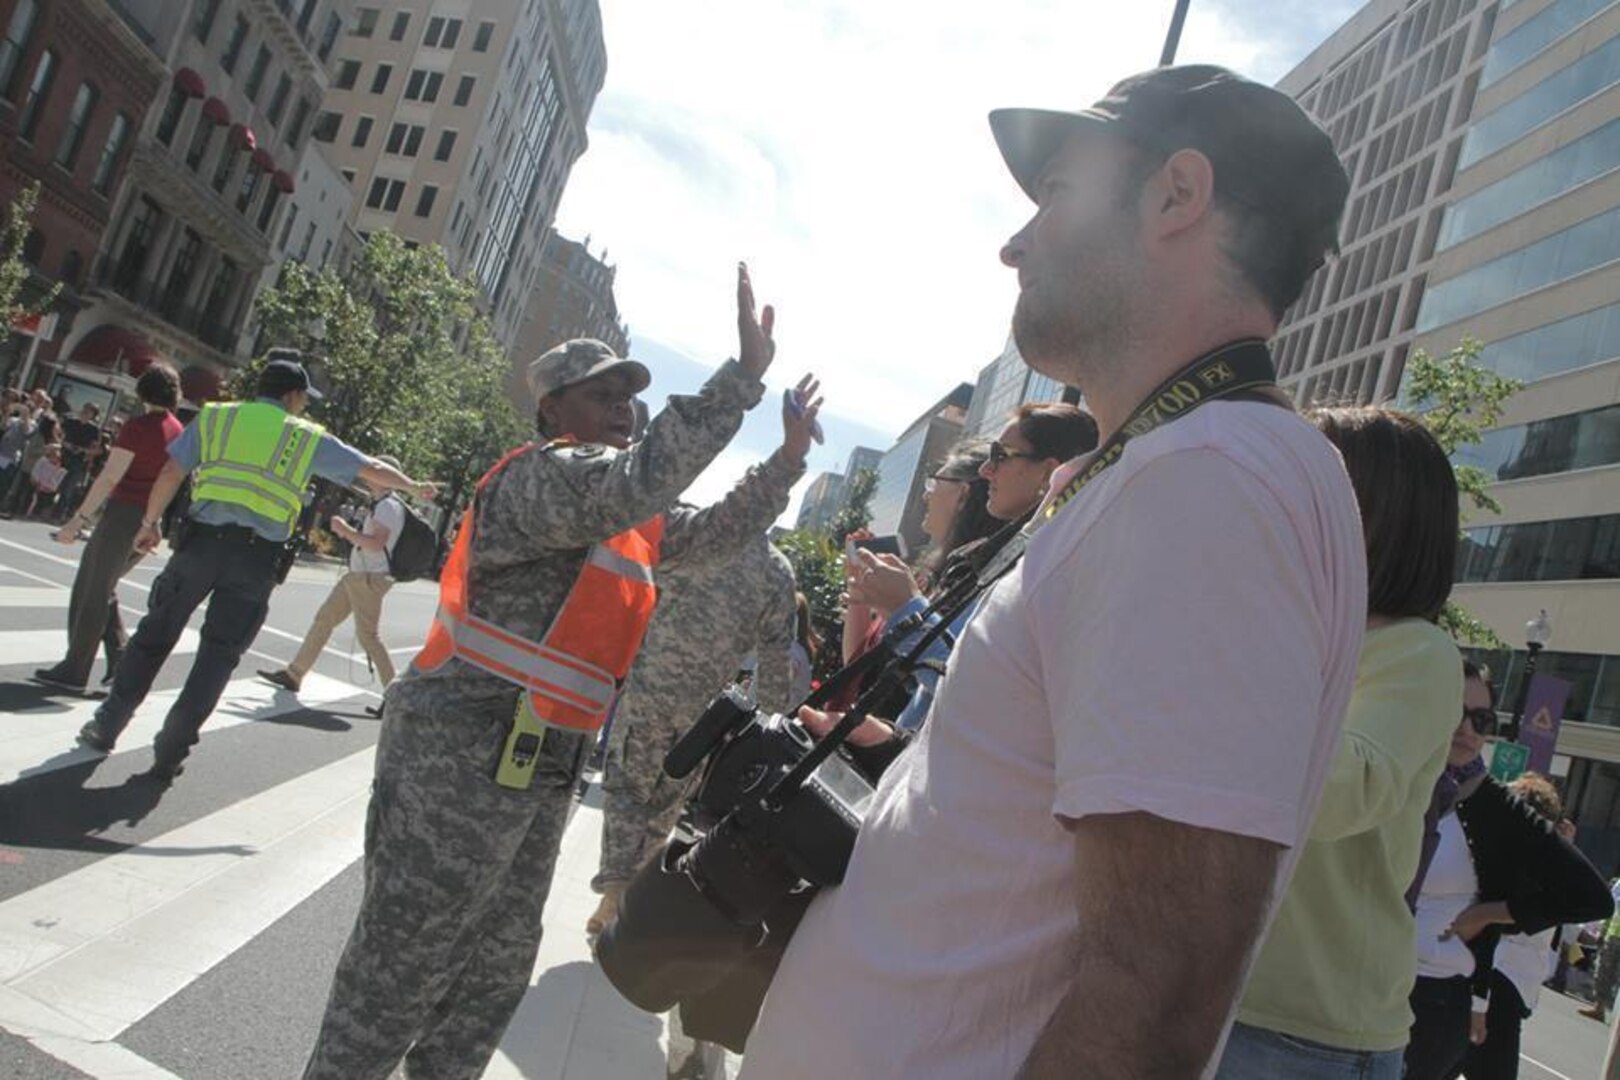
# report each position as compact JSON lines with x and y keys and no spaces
{"x":41,"y":741}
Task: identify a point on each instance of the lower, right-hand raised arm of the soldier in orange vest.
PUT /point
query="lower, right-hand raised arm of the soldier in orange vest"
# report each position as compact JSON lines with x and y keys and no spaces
{"x":759,"y":498}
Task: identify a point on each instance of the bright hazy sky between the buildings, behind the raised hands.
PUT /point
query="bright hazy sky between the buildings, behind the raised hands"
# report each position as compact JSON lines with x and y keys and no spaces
{"x":842,"y":148}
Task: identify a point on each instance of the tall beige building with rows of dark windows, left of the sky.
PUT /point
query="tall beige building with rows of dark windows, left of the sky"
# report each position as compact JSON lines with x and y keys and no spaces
{"x":458,"y":124}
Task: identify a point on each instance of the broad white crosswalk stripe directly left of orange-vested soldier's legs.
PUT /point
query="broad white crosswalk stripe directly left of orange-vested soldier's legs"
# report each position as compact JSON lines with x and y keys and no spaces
{"x":95,"y":951}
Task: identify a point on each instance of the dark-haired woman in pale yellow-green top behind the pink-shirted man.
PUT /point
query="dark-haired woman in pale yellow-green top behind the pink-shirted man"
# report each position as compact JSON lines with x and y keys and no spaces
{"x":1328,"y":997}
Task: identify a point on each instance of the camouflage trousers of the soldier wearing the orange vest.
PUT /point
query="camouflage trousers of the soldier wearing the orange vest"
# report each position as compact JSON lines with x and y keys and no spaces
{"x":458,"y":872}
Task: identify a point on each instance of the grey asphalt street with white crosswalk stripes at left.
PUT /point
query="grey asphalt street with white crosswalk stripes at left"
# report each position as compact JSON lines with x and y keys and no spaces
{"x":192,"y":933}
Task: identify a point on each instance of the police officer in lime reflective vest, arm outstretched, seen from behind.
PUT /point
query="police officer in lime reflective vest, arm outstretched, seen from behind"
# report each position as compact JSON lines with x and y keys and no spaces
{"x":250,"y":464}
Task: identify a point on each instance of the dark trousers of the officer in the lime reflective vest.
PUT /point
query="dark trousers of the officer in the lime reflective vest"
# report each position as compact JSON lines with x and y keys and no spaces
{"x":234,"y":569}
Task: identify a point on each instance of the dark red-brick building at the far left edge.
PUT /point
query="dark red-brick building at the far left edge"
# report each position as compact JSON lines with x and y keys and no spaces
{"x":75,"y":83}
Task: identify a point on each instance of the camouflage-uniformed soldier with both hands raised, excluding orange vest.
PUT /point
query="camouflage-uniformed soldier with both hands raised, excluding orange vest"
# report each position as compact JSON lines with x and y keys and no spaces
{"x":458,"y":867}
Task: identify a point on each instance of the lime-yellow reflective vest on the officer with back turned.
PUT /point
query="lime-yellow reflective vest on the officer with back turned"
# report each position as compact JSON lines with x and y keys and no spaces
{"x":258,"y":457}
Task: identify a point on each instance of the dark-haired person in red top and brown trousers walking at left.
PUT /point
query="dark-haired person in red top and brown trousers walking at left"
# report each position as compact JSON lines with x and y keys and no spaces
{"x":124,"y":483}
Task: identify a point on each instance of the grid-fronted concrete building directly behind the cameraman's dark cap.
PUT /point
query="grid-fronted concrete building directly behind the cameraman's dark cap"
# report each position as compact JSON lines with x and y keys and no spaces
{"x":1396,"y":88}
